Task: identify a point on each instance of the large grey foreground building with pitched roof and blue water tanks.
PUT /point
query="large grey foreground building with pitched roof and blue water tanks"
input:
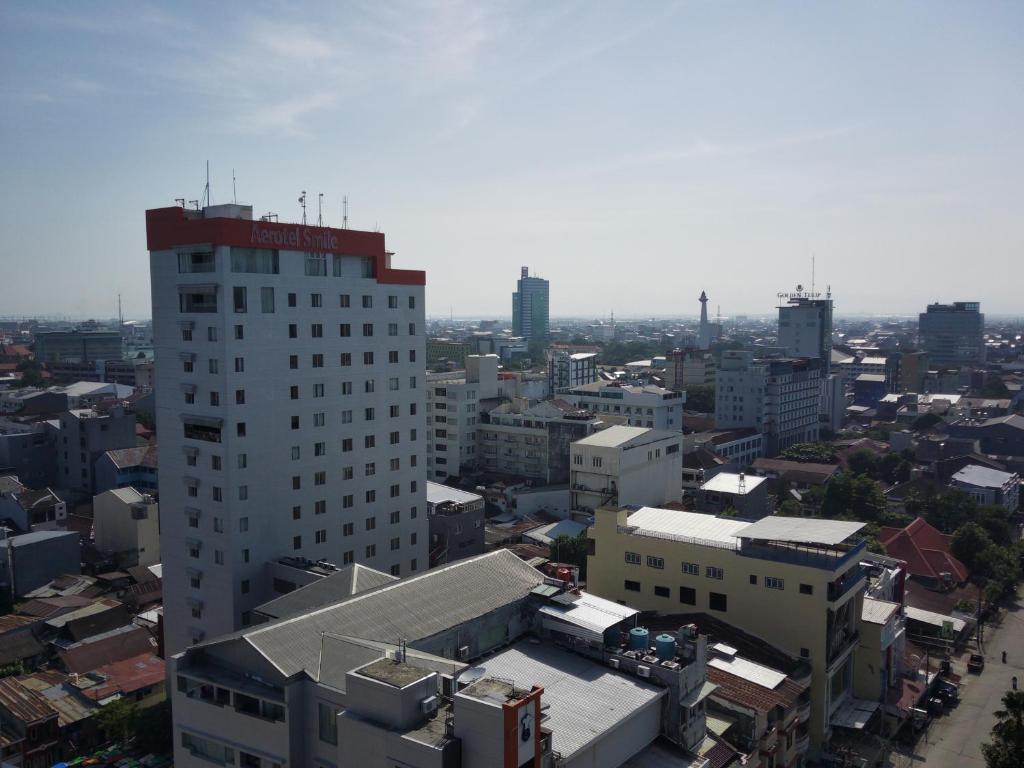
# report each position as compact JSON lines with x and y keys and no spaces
{"x":497,"y":667}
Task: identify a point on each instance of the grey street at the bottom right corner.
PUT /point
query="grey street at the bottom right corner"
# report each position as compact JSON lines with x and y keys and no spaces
{"x":955,"y":740}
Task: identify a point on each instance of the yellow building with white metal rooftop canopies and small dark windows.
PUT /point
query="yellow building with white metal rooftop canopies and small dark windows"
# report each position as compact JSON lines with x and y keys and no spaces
{"x":794,"y":582}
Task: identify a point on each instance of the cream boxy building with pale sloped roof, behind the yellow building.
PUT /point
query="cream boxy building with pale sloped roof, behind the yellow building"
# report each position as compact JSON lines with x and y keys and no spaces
{"x":626,"y":466}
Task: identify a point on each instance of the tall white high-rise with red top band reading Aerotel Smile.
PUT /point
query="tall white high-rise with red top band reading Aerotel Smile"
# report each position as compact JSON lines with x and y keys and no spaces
{"x":290,"y":409}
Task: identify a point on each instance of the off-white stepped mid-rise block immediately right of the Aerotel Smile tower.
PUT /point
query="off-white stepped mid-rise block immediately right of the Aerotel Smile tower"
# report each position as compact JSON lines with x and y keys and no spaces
{"x":456,"y":403}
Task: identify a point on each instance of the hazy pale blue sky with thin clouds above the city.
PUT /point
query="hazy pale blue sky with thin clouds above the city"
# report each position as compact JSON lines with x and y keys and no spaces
{"x":633,"y":153}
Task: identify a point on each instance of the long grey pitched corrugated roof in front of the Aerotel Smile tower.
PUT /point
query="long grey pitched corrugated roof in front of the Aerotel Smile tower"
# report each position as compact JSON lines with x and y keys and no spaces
{"x":413,"y":609}
